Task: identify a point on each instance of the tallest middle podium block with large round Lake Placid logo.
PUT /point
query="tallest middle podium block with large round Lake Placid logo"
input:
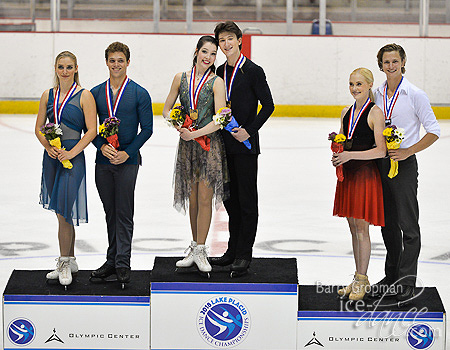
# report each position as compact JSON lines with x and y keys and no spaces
{"x":250,"y":312}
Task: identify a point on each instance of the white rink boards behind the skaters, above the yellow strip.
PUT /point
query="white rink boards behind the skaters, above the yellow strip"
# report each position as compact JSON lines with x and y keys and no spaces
{"x":301,"y":70}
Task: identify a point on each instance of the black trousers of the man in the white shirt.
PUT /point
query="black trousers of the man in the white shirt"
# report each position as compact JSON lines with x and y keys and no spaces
{"x":401,"y":233}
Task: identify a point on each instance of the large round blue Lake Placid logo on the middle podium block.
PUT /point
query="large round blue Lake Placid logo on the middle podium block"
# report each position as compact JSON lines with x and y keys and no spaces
{"x":223,"y":322}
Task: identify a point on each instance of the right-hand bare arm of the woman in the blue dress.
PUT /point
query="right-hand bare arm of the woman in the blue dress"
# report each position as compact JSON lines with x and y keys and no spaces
{"x":87,"y":103}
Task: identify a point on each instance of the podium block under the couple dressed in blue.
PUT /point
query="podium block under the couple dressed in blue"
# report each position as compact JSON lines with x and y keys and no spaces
{"x":40,"y":315}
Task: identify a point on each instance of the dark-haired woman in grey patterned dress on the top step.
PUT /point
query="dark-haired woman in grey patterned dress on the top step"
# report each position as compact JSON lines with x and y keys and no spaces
{"x":199,"y":175}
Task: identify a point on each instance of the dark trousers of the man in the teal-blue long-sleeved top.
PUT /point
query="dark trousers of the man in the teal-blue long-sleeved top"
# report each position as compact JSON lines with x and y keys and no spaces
{"x":115,"y":185}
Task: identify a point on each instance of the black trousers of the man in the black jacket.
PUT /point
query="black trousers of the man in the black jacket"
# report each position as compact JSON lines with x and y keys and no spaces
{"x":242,"y":206}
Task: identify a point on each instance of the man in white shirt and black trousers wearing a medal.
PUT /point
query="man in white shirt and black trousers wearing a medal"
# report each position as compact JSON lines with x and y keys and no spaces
{"x":405,"y":106}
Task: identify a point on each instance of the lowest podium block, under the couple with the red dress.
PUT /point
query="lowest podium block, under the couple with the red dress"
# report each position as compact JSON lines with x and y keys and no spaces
{"x":328,"y":322}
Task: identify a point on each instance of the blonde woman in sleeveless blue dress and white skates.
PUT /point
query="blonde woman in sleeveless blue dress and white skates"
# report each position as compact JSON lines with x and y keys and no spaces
{"x":63,"y":191}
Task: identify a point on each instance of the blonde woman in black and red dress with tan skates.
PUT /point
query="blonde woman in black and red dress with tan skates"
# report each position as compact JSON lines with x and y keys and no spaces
{"x":359,"y":196}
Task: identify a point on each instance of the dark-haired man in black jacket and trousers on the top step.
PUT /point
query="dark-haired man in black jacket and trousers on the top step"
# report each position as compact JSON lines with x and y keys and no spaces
{"x":246,"y":85}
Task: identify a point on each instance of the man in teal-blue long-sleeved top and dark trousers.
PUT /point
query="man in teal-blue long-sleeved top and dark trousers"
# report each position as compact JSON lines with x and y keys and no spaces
{"x":116,"y":169}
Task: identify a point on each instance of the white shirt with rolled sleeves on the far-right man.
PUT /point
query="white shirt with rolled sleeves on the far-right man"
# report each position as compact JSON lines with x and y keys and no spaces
{"x":410,"y":111}
